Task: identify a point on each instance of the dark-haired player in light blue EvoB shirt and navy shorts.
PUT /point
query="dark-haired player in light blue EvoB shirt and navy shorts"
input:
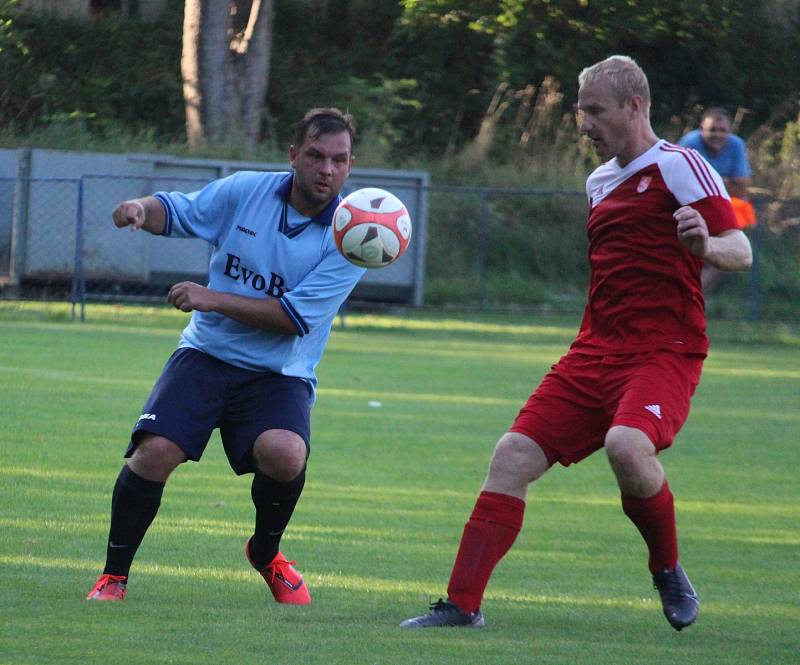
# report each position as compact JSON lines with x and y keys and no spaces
{"x":245,"y":363}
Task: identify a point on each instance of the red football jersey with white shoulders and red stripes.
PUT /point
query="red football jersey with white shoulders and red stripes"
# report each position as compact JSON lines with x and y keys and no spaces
{"x":645,"y":293}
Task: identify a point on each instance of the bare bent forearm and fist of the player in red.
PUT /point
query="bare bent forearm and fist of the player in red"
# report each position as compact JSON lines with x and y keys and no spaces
{"x":728,"y":251}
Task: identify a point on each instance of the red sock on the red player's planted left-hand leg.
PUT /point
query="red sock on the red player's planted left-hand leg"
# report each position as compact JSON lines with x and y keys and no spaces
{"x":489,"y":533}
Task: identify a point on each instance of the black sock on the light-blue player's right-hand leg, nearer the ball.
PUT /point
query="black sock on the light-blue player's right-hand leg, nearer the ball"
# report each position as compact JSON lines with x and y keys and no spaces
{"x":274,"y":502}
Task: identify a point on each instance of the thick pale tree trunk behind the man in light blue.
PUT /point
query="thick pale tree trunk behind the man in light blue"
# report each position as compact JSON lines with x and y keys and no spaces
{"x":225,"y":68}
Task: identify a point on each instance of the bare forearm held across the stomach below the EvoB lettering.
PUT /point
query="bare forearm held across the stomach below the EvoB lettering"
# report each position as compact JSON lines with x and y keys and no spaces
{"x":262,"y":313}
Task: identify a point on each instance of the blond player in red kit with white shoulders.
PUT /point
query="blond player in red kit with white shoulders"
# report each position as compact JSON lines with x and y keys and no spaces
{"x":656,"y":212}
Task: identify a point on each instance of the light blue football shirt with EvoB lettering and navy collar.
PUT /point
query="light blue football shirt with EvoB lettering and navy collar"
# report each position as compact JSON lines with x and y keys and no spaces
{"x":263,"y":248}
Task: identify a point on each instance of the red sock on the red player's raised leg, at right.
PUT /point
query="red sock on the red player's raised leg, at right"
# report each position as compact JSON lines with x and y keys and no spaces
{"x":655,"y":519}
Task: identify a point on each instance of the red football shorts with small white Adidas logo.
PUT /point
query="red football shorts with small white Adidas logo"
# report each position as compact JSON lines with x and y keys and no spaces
{"x":583,"y":396}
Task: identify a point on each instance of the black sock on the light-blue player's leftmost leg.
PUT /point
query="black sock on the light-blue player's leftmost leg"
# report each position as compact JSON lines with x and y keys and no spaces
{"x":134,"y":504}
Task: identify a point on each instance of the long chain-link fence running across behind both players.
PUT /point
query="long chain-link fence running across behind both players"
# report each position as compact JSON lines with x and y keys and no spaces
{"x":485,"y":247}
